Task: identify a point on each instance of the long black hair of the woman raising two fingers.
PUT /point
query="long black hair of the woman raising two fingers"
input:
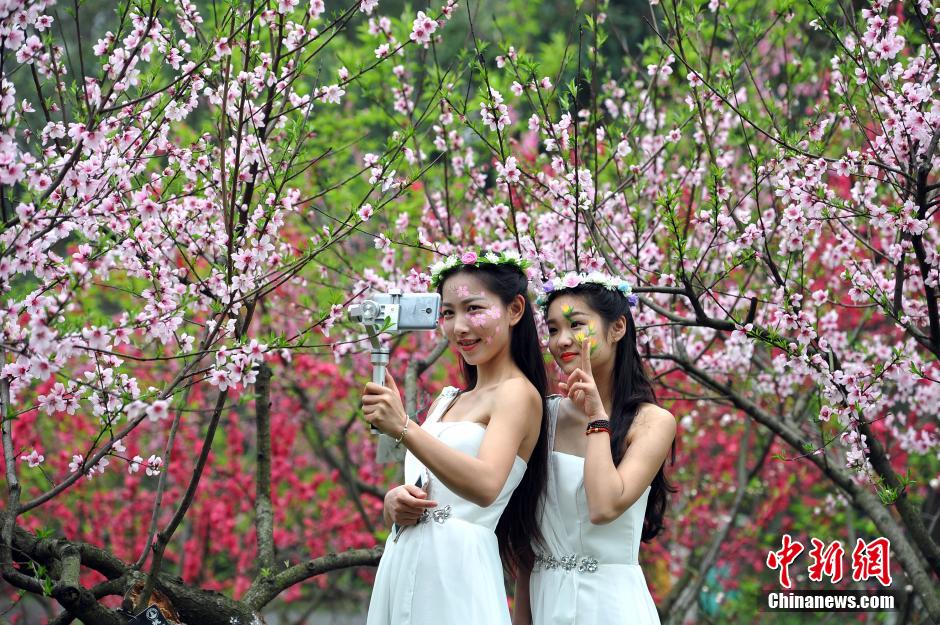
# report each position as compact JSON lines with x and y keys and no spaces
{"x":631,"y":388}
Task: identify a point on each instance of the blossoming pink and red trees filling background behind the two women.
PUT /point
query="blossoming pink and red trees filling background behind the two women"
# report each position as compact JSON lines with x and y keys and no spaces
{"x":190,"y":204}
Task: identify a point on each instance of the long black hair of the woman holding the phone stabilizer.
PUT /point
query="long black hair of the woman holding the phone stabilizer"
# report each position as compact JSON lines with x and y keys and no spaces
{"x":518,"y":526}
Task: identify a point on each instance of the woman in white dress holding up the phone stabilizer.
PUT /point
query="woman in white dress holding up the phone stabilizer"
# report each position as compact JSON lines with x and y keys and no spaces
{"x":480,"y":451}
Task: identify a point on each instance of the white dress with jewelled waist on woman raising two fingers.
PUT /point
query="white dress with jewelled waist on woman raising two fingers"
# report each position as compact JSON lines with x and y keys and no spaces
{"x":586,"y":574}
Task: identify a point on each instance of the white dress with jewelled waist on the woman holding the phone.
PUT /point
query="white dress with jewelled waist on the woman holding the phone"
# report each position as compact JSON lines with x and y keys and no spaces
{"x":445,"y":570}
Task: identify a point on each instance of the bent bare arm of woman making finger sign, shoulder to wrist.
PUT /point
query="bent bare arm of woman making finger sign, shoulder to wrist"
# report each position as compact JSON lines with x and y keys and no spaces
{"x":612,"y":489}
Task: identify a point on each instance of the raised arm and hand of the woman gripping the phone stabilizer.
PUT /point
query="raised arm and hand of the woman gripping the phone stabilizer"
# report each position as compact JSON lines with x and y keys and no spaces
{"x":479,"y":479}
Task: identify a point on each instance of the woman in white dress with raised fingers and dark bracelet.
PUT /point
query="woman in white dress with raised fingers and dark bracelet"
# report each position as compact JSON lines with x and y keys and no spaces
{"x":609,"y":442}
